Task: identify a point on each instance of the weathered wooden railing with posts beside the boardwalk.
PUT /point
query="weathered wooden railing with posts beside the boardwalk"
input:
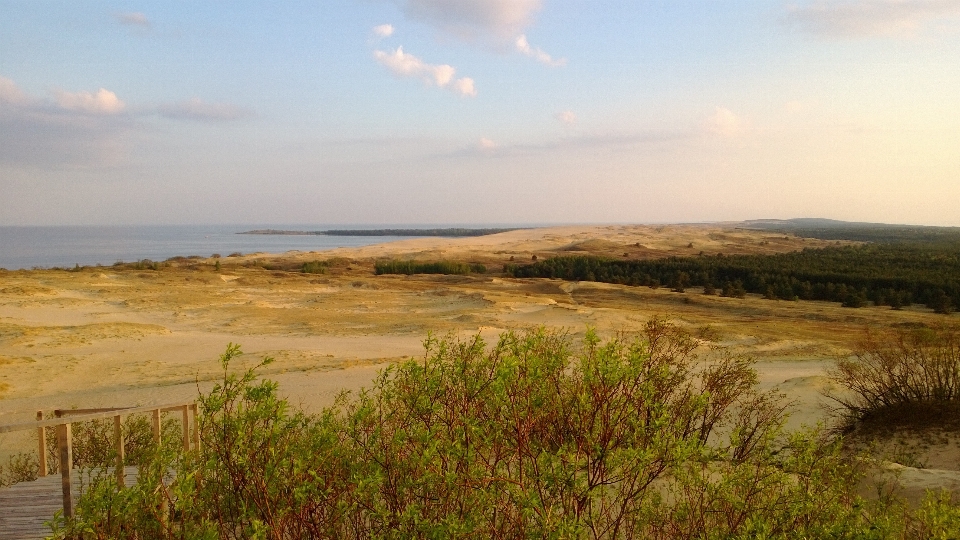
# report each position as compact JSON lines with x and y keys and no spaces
{"x":65,"y":418}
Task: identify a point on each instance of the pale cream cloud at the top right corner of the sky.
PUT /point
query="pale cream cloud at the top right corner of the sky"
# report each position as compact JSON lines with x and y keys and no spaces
{"x":867,"y":18}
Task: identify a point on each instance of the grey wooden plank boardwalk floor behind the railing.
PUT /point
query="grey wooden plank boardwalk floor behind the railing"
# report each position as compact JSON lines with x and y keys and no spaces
{"x":25,"y":507}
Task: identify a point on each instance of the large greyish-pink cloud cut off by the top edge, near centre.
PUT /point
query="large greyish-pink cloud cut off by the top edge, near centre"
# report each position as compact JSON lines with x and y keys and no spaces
{"x":469,"y":19}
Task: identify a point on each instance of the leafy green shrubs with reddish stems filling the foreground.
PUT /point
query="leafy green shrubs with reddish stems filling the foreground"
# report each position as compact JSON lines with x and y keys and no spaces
{"x":530,"y":438}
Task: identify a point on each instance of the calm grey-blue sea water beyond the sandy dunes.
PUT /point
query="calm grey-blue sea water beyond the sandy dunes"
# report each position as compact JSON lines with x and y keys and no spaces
{"x":45,"y":247}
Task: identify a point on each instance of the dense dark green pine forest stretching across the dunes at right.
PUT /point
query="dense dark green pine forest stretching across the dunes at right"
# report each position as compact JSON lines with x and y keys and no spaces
{"x":896,"y":275}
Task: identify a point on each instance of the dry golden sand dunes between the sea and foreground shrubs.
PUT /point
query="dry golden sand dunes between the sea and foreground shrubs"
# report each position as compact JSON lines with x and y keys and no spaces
{"x":112,"y":336}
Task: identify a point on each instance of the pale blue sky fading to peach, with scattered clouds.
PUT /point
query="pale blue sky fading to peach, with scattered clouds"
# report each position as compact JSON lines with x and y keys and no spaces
{"x":478,"y":111}
